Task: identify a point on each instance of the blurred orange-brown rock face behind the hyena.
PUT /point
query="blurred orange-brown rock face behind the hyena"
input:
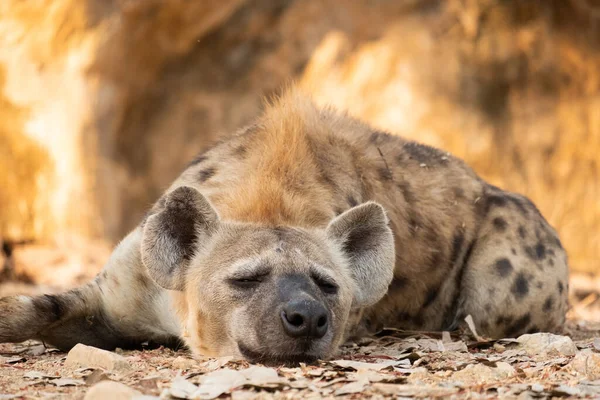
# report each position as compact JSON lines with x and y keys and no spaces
{"x":103,"y":102}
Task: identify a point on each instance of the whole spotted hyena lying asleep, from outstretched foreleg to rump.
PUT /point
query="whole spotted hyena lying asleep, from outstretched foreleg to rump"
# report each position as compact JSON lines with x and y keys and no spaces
{"x":292,"y":203}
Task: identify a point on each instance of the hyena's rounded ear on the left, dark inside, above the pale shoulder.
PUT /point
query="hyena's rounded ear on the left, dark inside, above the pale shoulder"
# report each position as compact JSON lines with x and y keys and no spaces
{"x":183,"y":221}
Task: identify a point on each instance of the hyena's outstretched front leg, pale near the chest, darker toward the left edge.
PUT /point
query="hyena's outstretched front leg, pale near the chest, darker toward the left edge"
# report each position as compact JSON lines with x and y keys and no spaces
{"x":122,"y":307}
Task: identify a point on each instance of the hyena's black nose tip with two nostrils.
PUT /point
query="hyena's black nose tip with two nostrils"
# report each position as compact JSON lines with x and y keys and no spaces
{"x":304,"y":318}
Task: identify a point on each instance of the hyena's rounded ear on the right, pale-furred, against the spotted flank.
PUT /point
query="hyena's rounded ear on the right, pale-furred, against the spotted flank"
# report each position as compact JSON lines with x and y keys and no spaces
{"x":367,"y":241}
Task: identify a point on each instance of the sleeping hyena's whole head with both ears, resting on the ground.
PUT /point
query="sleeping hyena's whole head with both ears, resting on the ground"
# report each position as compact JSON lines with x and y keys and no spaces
{"x":269,"y":294}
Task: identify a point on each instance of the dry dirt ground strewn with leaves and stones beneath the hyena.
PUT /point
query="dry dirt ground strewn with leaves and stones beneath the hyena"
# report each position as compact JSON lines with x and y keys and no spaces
{"x":392,"y":364}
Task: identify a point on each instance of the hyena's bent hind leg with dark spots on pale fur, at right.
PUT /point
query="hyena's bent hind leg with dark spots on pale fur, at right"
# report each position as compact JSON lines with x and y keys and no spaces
{"x":516,"y":279}
